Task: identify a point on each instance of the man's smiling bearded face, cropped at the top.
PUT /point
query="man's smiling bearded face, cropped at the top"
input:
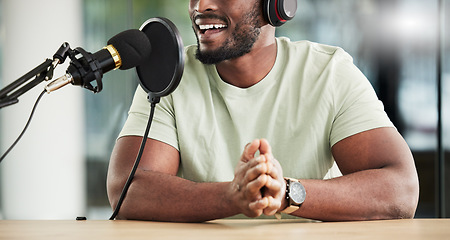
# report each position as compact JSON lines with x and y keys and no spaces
{"x":225,"y":29}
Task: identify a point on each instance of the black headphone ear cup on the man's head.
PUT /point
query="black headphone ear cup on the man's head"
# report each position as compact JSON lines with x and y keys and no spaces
{"x":278,"y":12}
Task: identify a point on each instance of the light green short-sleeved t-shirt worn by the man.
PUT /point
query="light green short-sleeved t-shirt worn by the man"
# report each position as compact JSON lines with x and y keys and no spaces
{"x":313,"y":97}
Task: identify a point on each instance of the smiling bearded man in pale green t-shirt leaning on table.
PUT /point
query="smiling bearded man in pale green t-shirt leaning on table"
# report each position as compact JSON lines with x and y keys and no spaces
{"x":253,"y":109}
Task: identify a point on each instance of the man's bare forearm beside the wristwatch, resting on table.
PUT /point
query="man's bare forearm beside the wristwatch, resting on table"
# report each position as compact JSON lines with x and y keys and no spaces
{"x":366,"y":195}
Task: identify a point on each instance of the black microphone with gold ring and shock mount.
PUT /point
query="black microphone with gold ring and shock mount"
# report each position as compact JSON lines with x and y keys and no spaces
{"x":125,"y":50}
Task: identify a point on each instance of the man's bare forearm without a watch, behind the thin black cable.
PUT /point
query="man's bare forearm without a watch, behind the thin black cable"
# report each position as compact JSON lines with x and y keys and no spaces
{"x":163,"y":197}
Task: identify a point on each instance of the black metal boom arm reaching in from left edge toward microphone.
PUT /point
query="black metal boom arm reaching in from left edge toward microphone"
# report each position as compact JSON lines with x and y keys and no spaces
{"x":11,"y":93}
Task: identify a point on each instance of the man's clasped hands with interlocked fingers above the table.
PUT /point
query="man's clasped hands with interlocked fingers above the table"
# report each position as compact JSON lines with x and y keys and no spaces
{"x":258,"y":186}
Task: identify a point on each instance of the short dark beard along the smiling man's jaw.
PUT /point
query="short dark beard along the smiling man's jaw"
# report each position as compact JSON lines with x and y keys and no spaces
{"x":240,"y":43}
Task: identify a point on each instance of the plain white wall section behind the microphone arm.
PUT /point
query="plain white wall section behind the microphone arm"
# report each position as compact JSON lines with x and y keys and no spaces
{"x":43,"y":177}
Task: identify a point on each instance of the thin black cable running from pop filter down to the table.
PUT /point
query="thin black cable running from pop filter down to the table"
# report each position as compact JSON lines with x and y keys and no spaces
{"x":136,"y":164}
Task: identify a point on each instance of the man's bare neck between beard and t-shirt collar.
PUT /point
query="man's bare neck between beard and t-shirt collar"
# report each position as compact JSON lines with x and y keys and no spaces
{"x":251,"y":68}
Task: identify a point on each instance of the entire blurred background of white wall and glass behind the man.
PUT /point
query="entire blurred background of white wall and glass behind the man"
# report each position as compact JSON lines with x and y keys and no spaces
{"x":58,"y":170}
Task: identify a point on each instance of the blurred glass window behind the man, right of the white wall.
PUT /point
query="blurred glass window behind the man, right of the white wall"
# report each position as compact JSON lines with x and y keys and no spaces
{"x":394,"y":42}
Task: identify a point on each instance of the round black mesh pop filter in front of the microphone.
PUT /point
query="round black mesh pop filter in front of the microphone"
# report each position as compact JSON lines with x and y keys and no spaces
{"x":161,"y":72}
